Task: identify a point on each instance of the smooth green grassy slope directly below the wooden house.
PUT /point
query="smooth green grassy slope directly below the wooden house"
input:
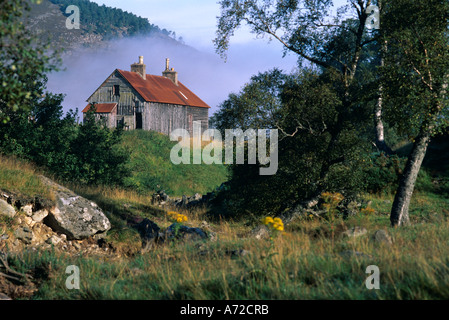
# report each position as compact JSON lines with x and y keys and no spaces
{"x":153,"y":170}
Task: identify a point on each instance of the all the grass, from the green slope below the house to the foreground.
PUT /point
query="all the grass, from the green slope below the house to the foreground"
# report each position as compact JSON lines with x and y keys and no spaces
{"x":307,"y":262}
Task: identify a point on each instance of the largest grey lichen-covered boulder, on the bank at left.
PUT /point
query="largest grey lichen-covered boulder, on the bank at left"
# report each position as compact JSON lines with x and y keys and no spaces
{"x":75,"y":216}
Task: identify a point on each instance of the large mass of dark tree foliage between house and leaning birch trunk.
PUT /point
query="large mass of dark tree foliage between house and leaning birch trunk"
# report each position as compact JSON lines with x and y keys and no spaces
{"x":322,"y":115}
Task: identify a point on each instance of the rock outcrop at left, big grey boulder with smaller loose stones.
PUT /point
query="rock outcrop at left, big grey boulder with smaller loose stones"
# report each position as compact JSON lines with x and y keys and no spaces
{"x":64,"y":221}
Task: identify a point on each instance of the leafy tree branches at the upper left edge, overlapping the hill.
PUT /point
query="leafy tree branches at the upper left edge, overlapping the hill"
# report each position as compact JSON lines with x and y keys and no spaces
{"x":23,"y":60}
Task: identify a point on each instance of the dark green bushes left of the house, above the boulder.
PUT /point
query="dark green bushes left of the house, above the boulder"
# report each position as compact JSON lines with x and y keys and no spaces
{"x":87,"y":153}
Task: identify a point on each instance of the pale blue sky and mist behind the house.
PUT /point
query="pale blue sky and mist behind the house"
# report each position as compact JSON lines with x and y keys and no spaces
{"x":199,"y":68}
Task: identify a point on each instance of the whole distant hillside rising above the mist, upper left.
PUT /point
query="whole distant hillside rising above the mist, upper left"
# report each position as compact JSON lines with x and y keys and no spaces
{"x":97,"y":24}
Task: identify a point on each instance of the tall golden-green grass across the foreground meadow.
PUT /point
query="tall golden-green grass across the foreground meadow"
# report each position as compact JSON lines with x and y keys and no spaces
{"x":304,"y":263}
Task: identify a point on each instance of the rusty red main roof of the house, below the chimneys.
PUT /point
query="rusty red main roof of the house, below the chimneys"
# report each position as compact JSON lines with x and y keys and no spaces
{"x":162,"y":90}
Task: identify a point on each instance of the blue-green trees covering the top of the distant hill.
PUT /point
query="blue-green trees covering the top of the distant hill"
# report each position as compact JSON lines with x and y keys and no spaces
{"x":107,"y":21}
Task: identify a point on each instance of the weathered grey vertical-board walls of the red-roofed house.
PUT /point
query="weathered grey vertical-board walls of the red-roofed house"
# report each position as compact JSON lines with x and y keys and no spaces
{"x":160,"y":117}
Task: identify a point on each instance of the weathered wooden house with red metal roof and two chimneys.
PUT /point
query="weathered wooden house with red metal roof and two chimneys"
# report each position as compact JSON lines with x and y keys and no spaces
{"x":142,"y":101}
